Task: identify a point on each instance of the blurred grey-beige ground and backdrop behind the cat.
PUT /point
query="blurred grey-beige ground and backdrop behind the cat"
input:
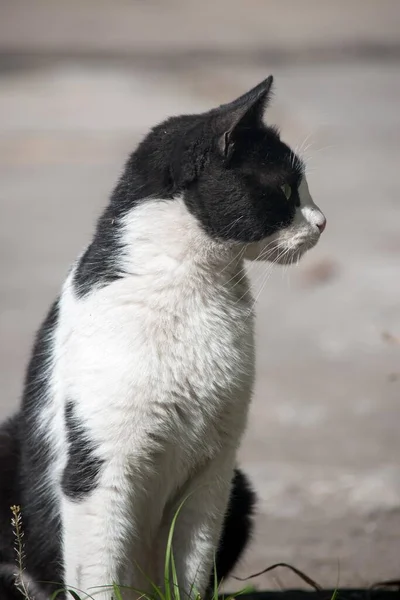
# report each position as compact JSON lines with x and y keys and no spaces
{"x":80,"y":83}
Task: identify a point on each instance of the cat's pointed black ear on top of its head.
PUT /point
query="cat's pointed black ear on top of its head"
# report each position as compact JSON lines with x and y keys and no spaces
{"x":245,"y":111}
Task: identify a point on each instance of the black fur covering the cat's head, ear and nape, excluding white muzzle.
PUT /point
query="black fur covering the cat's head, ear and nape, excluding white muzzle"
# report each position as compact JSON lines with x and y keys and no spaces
{"x":226,"y":164}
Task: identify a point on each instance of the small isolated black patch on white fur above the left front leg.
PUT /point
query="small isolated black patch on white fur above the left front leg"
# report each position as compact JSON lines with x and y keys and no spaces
{"x":81,"y":473}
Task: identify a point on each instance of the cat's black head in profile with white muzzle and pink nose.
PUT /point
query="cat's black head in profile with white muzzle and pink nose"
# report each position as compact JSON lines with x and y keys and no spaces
{"x":243,"y":184}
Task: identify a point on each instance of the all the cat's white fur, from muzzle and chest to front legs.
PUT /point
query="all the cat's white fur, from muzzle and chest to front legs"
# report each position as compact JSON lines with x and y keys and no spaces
{"x":160,"y":364}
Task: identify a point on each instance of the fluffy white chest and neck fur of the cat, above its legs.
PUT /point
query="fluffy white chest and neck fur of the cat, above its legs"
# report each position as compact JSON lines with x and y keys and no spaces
{"x":165,"y":351}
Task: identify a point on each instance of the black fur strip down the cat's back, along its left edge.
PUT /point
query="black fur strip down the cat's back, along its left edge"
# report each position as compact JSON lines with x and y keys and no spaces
{"x":40,"y":516}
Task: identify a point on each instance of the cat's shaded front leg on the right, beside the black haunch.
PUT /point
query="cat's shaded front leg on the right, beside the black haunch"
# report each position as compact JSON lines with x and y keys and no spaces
{"x":199,"y":523}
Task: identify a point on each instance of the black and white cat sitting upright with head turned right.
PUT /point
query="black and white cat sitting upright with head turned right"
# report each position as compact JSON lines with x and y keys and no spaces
{"x":141,"y":376}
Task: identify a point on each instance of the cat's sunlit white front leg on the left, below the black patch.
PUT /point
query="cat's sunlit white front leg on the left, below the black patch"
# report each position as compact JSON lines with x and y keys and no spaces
{"x":102,"y":528}
